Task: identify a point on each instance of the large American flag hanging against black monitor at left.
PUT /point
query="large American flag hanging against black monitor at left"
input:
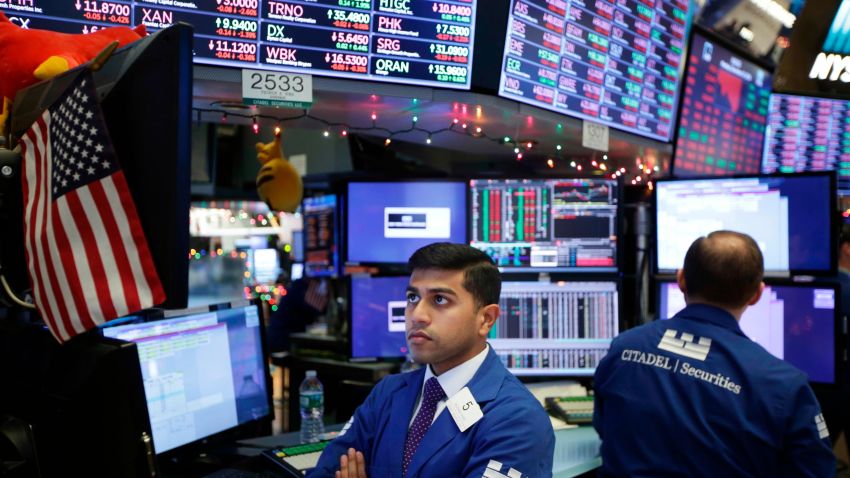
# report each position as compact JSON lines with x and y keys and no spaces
{"x":87,"y":256}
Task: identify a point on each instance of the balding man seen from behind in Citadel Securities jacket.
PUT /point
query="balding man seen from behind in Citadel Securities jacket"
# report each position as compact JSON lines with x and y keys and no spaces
{"x":693,"y":396}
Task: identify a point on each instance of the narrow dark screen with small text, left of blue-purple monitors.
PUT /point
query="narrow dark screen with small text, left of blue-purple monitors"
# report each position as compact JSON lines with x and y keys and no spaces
{"x":321,"y":236}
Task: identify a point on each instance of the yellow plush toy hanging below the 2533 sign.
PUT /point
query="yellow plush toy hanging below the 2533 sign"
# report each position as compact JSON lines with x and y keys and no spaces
{"x":278,"y":183}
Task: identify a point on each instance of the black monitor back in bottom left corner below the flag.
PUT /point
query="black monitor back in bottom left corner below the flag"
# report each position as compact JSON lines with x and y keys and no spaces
{"x":81,"y":404}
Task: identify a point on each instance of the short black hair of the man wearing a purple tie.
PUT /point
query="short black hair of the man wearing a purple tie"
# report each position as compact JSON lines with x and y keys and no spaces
{"x":481,"y":277}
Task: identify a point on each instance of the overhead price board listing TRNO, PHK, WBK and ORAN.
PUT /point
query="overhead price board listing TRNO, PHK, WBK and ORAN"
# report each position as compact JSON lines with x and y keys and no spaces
{"x":419,"y":42}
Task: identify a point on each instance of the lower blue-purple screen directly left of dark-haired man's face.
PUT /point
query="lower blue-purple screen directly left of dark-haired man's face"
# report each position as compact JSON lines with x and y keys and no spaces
{"x":377,"y":316}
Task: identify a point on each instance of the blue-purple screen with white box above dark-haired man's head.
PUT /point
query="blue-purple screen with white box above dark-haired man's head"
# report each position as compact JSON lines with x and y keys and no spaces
{"x":389,"y":221}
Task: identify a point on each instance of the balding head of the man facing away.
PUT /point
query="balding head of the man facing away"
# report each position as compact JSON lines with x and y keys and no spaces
{"x":724,"y":268}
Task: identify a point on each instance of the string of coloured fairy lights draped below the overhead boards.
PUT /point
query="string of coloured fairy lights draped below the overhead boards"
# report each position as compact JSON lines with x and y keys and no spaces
{"x":522,"y":148}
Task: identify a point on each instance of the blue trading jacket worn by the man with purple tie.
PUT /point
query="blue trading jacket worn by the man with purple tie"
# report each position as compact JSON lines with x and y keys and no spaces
{"x":514,"y":435}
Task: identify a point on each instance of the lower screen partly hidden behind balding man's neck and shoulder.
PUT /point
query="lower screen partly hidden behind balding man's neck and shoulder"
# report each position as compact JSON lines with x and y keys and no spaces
{"x":799,"y":323}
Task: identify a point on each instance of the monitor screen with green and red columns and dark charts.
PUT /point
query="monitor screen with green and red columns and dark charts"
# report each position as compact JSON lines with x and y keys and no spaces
{"x":546,"y":224}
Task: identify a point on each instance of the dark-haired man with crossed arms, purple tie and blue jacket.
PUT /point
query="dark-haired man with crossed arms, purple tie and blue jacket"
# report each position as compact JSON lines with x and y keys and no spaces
{"x":464,"y":414}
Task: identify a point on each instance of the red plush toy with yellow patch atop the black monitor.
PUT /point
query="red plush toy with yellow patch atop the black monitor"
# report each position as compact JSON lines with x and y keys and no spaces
{"x":28,"y":56}
